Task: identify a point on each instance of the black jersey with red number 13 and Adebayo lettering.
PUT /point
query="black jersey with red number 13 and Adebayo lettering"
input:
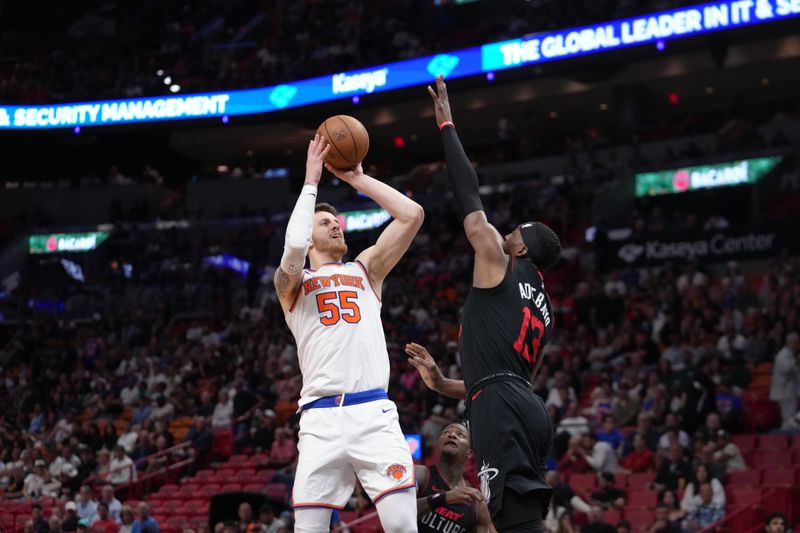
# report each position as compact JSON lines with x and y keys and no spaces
{"x":505,"y":328}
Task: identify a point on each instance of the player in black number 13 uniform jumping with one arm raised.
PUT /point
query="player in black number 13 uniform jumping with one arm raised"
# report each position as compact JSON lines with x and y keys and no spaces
{"x":507,"y":319}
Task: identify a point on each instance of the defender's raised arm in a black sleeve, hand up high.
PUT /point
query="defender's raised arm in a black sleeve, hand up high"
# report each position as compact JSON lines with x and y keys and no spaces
{"x":490,"y":259}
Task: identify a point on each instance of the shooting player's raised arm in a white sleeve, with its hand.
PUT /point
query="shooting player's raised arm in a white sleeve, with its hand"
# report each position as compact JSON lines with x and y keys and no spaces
{"x":298,"y":232}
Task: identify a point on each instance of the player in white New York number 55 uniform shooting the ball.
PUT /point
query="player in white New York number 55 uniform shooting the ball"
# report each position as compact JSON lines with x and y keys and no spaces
{"x":348,"y":426}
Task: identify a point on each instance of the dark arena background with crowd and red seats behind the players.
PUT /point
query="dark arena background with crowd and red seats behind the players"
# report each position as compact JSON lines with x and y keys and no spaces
{"x":151,"y":152}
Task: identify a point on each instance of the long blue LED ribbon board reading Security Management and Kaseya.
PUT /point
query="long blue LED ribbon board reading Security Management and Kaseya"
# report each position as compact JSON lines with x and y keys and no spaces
{"x":537,"y":48}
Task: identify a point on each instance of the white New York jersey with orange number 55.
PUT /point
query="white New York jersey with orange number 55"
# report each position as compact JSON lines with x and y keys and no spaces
{"x":336,"y":322}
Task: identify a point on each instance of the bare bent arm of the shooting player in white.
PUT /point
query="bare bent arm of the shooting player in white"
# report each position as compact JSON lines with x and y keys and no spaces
{"x":393,"y":242}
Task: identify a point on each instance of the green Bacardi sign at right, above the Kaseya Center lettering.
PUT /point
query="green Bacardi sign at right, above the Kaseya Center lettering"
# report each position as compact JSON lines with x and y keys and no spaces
{"x":745,"y":171}
